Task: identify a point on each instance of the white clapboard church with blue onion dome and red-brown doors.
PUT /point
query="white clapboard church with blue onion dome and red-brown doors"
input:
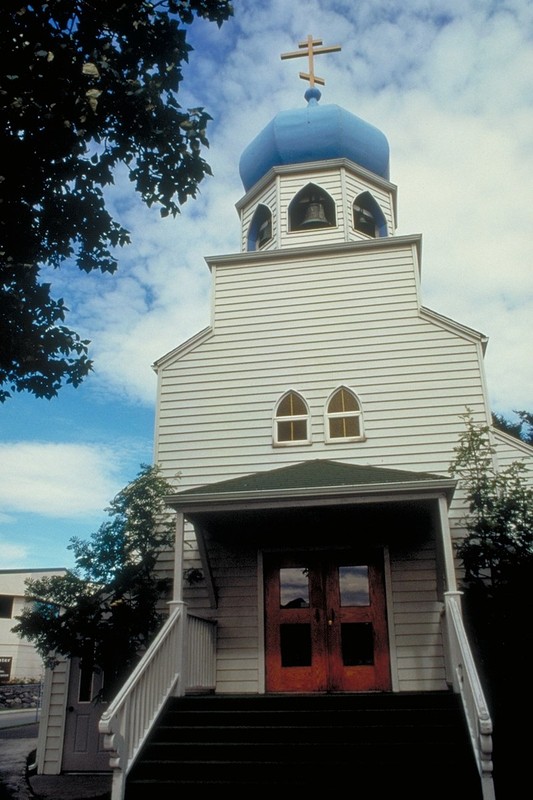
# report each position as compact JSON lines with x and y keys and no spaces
{"x":312,"y":424}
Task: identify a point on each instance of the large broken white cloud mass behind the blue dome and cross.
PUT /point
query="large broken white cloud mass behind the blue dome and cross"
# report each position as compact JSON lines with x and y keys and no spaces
{"x":450,"y":87}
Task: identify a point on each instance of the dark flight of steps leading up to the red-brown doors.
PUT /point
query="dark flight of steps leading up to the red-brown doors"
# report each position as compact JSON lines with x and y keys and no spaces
{"x":263,"y":740}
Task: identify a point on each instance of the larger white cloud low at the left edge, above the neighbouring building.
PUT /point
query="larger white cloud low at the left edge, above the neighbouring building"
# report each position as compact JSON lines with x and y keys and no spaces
{"x":59,"y":480}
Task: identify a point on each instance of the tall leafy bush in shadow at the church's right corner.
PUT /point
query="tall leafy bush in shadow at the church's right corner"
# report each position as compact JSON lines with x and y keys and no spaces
{"x":497,"y":555}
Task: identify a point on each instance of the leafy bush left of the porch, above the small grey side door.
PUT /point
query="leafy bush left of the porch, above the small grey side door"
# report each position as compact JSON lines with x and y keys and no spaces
{"x":105,"y":611}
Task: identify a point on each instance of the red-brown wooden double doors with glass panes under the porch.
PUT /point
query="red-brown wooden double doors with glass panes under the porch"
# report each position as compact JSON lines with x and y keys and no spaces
{"x":325,"y":623}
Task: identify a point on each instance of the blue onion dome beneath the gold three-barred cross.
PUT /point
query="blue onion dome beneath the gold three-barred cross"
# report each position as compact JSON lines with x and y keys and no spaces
{"x":314,"y":133}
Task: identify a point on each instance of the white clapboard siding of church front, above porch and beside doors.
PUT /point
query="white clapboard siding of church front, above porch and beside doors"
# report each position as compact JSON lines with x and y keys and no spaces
{"x":311,"y":321}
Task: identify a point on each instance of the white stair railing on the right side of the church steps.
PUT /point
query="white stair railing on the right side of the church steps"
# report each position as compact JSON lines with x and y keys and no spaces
{"x":465,"y":682}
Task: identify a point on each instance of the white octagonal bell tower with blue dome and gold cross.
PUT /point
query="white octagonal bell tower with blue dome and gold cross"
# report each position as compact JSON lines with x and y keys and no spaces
{"x":315,"y":175}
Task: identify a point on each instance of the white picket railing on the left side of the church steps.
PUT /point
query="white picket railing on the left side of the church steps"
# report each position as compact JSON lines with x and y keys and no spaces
{"x":182,"y":656}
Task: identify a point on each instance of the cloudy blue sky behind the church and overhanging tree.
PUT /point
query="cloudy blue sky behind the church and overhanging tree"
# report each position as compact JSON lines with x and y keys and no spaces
{"x":449,"y":83}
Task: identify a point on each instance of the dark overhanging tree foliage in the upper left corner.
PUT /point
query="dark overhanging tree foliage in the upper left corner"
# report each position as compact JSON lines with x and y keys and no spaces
{"x":87,"y":85}
